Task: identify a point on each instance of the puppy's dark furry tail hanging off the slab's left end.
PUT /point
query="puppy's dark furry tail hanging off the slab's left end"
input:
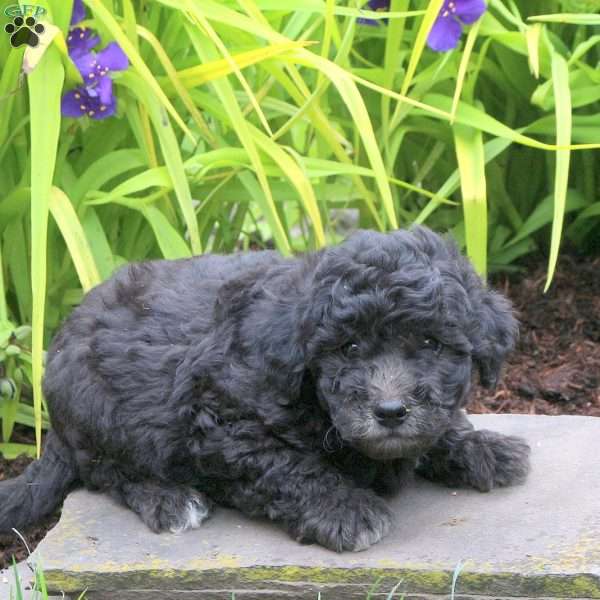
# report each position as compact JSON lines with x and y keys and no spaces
{"x":39,"y":489}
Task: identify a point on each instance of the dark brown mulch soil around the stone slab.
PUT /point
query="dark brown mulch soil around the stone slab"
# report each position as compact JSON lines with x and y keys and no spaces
{"x":555,"y":369}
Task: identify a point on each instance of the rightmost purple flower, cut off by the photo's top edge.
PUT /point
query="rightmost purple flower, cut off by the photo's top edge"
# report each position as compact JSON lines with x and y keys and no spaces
{"x":446,"y":30}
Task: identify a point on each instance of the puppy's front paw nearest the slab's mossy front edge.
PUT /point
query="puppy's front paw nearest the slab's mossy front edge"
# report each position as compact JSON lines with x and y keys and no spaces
{"x":352,"y":520}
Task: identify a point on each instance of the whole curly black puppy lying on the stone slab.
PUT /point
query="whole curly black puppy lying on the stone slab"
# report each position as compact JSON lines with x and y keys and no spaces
{"x":302,"y":389}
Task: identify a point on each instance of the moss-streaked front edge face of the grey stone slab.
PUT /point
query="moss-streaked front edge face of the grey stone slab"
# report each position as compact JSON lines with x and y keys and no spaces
{"x":334,"y":580}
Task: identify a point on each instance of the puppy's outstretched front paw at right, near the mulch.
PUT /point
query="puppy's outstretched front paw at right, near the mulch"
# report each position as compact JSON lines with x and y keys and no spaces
{"x":491,"y":459}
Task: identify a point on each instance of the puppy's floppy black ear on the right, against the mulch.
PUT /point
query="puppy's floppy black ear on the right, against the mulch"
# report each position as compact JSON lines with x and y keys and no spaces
{"x":495,"y":332}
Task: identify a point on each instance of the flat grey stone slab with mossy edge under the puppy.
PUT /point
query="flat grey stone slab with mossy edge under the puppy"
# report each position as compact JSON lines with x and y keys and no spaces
{"x":539,"y":540}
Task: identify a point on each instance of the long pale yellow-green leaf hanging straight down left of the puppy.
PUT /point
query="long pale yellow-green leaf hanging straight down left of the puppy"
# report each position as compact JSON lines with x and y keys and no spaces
{"x":45,"y":86}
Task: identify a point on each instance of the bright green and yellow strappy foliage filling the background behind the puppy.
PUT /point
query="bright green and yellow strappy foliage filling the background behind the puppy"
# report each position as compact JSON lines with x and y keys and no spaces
{"x":244,"y":123}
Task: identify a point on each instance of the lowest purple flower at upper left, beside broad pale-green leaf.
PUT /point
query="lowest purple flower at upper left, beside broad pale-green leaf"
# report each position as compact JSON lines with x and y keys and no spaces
{"x":95,"y":98}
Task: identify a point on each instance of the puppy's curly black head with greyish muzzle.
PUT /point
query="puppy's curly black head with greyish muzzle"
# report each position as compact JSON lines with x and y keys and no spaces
{"x":397,"y":324}
